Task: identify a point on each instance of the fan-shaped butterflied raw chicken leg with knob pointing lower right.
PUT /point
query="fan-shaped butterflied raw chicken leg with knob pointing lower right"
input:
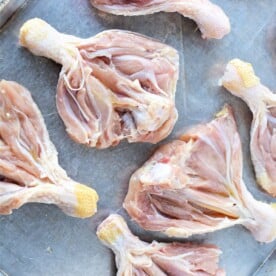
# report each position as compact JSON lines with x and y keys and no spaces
{"x":194,"y":185}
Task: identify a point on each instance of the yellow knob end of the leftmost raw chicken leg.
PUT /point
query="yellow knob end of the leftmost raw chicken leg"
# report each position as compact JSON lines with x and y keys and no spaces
{"x":87,"y":199}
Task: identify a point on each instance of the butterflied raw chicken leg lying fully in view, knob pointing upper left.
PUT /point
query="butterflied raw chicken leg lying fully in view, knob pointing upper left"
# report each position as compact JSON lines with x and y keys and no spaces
{"x":113,"y":86}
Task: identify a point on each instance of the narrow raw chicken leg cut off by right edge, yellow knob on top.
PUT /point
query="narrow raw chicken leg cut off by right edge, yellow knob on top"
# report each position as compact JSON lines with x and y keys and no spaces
{"x":239,"y":78}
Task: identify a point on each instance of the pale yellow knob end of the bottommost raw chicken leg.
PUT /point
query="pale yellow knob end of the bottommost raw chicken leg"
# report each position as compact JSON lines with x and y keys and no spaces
{"x":111,"y":228}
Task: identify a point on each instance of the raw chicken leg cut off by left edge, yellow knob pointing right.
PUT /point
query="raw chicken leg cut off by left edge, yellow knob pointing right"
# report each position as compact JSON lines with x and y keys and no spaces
{"x":29,"y":166}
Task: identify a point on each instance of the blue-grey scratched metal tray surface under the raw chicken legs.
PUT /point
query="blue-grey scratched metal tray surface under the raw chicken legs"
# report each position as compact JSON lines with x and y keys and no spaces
{"x":40,"y":239}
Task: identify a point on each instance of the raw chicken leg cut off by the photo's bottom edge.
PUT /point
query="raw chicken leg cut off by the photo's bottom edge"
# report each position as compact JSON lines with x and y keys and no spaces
{"x":138,"y":258}
